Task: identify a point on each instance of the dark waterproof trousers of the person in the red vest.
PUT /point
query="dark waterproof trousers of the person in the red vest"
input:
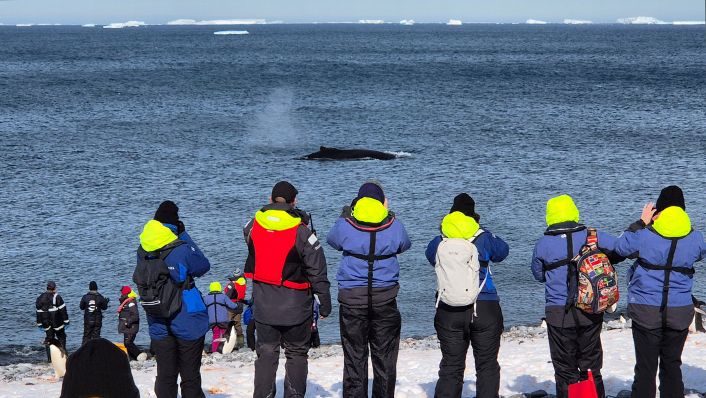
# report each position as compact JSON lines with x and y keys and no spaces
{"x":295,"y":340}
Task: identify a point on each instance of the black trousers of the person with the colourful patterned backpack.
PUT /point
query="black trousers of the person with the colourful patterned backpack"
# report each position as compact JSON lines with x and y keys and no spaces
{"x":574,"y":351}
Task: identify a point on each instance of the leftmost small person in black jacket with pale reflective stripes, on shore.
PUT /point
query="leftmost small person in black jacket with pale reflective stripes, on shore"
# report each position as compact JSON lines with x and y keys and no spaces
{"x":52,"y":316}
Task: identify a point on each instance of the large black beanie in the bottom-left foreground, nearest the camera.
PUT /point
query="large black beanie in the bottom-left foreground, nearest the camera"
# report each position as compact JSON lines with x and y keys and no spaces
{"x":98,"y":369}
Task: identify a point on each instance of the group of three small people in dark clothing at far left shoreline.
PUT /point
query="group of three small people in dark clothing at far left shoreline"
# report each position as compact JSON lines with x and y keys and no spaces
{"x":53,"y":318}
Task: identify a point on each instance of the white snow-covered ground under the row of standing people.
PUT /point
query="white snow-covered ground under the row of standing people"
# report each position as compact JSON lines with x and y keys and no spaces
{"x":524,"y":359}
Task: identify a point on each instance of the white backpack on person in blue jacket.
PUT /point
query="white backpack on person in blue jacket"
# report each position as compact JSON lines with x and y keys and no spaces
{"x":458,"y":271}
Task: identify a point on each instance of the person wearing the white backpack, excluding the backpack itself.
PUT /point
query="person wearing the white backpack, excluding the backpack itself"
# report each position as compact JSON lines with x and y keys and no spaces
{"x":479,"y":324}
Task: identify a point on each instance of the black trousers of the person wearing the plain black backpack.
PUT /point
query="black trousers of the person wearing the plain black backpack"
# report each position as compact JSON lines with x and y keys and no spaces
{"x":178,"y":358}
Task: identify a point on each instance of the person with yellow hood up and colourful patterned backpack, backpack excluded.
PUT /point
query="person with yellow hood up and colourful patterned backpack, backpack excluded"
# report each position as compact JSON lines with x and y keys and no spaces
{"x":574,"y":336}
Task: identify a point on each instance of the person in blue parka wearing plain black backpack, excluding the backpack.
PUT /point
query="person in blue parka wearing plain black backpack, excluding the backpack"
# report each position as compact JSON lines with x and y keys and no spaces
{"x":178,"y":341}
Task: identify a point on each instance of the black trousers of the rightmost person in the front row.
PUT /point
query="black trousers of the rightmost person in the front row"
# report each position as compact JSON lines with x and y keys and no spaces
{"x":653,"y":346}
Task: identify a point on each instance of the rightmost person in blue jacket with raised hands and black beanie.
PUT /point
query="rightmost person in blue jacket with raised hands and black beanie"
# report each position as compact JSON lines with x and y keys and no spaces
{"x":659,"y":291}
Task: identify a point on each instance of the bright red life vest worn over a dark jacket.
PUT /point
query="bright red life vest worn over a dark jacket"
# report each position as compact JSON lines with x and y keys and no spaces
{"x":276,"y":259}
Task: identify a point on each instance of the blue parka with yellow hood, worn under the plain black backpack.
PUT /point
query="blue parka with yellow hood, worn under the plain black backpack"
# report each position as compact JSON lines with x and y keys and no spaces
{"x":191,"y":322}
